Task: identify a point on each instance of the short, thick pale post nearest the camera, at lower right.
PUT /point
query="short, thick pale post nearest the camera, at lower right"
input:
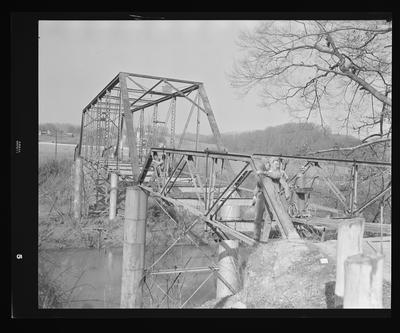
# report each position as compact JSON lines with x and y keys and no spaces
{"x":363,"y":281}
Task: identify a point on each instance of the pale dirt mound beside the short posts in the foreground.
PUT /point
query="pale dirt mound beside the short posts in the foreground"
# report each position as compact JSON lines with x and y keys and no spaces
{"x":290,"y":274}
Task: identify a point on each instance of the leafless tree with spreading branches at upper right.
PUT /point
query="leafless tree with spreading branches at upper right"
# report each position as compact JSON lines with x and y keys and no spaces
{"x":321,"y":68}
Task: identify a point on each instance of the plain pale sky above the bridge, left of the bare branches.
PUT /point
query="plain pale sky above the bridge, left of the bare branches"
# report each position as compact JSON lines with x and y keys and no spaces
{"x":78,"y":58}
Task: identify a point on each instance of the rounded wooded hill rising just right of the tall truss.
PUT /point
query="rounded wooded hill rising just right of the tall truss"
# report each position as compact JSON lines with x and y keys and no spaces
{"x":286,"y":139}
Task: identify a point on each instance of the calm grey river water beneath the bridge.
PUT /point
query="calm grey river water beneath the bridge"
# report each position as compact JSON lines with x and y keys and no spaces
{"x":92,"y":277}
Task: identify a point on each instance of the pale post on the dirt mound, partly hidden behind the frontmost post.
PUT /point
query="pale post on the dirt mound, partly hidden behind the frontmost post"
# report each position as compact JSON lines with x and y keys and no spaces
{"x":349,"y":242}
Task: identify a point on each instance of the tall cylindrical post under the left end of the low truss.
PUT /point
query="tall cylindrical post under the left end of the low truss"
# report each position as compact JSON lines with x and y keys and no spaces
{"x":133,"y":247}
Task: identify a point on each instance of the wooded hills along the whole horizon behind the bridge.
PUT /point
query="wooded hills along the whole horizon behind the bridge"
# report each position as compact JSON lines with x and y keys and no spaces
{"x":286,"y":139}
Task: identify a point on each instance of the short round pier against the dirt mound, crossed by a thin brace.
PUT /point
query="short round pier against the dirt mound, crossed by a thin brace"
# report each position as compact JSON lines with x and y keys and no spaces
{"x":228,"y":268}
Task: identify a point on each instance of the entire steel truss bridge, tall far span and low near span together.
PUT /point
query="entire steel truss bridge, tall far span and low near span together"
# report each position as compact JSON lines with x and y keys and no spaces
{"x":205,"y":193}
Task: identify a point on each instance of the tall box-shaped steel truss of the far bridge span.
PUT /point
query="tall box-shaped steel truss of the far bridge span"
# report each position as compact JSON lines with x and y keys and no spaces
{"x":135,"y":112}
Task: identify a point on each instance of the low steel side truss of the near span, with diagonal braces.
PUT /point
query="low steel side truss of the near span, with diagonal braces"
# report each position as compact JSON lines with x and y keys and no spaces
{"x":204,"y":190}
